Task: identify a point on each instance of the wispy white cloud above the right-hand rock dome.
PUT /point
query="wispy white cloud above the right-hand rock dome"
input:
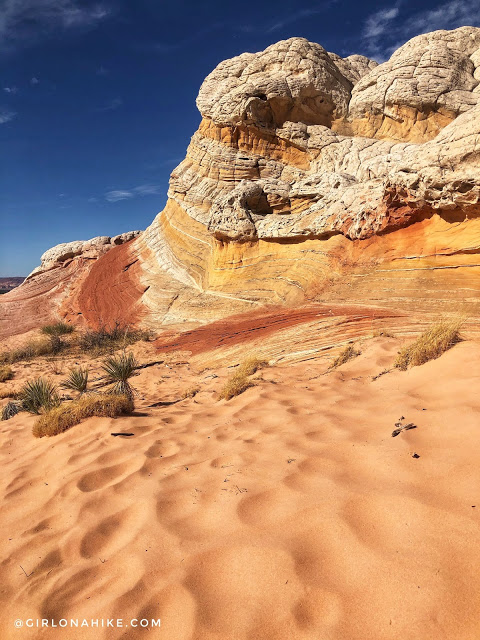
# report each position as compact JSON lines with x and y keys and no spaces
{"x":387,"y":29}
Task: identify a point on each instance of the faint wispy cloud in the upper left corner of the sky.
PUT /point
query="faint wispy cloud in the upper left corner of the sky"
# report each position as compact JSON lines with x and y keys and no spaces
{"x":25,"y":21}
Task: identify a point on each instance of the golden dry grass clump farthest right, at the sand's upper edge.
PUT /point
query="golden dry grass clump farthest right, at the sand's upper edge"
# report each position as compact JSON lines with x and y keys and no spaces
{"x":430,"y":344}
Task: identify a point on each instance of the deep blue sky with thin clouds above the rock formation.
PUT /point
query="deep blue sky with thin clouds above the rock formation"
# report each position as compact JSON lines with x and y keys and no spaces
{"x":97,"y":99}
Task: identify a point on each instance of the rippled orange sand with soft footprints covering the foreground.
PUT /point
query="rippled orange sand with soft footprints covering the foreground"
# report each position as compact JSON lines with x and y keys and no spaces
{"x":288,"y":512}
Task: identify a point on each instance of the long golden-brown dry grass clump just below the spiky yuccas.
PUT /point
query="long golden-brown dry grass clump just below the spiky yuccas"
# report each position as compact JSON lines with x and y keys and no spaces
{"x":68,"y":414}
